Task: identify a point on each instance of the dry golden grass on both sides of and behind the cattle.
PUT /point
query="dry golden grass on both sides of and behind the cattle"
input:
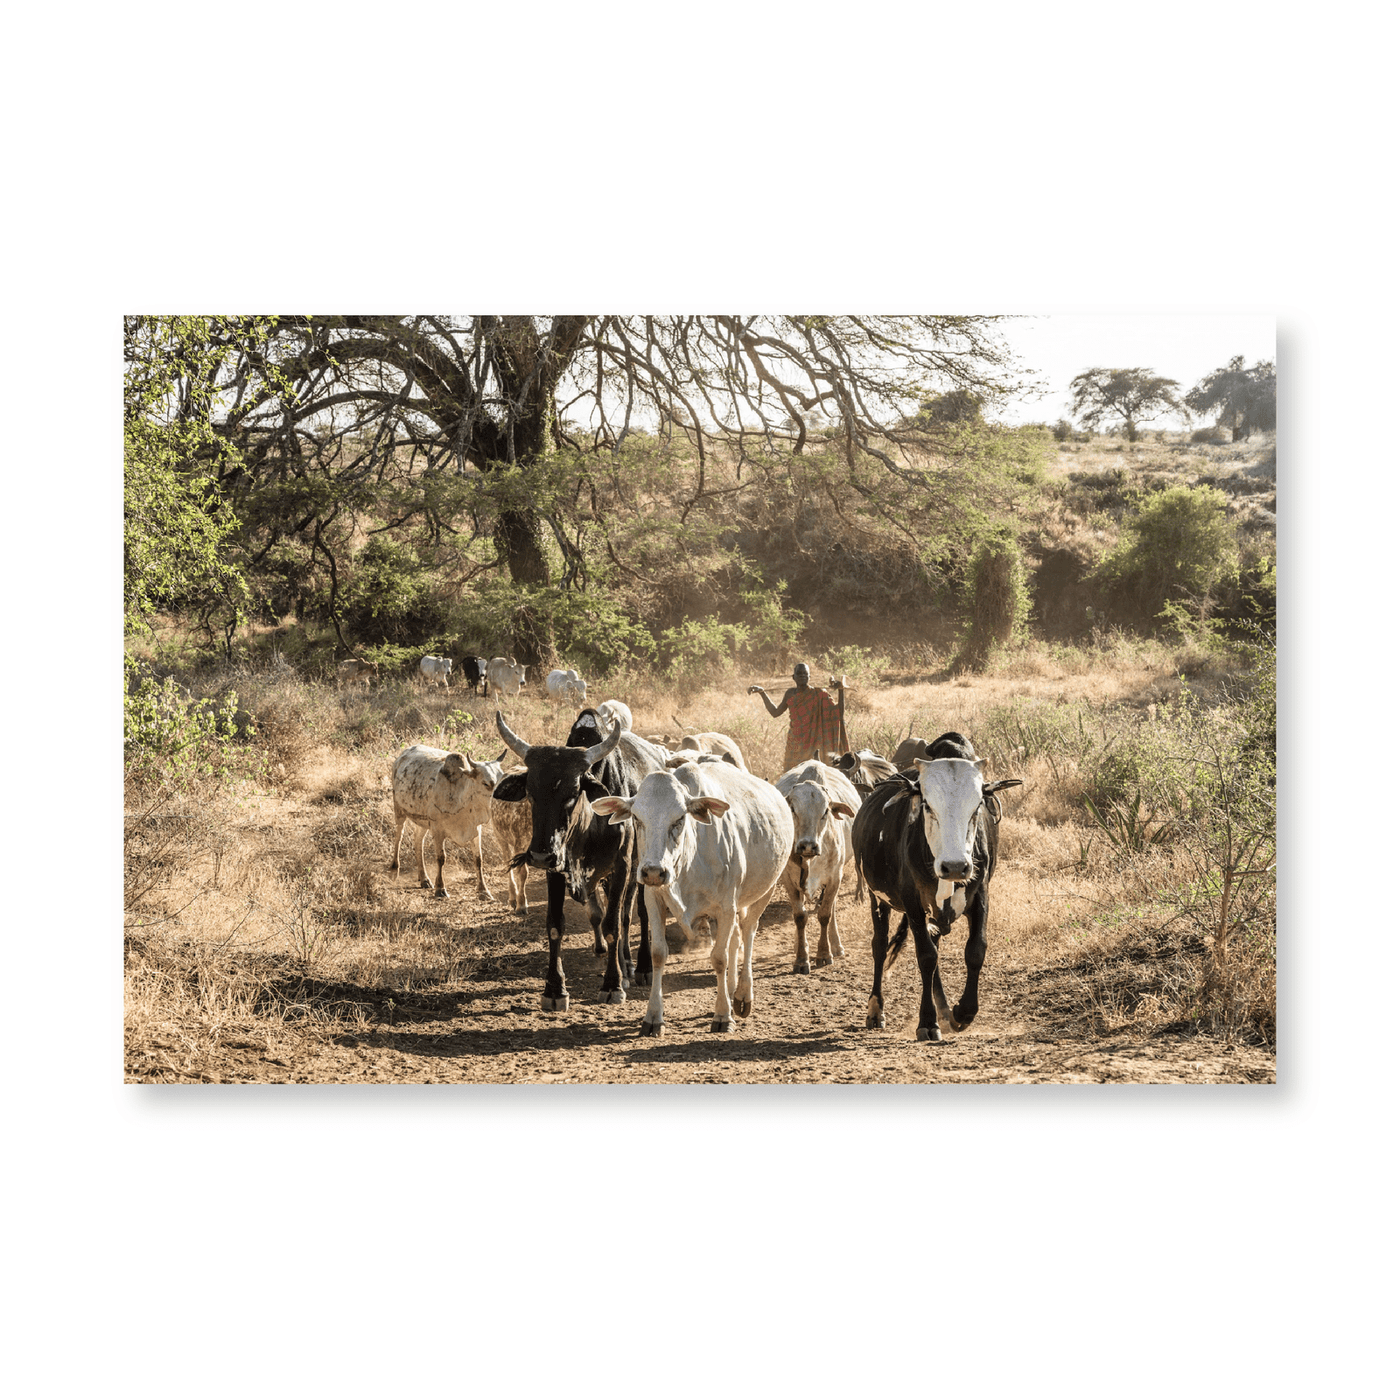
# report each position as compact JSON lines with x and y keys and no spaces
{"x":264,"y":911}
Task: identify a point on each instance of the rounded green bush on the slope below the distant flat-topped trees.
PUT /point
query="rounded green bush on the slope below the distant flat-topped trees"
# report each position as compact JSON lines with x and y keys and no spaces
{"x":1178,"y":549}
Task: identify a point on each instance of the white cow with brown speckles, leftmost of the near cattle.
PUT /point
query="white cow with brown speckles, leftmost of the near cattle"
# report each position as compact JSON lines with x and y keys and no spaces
{"x":450,"y":799}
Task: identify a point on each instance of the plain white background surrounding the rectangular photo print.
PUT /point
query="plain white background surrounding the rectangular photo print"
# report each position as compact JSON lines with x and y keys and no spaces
{"x":1226,"y":159}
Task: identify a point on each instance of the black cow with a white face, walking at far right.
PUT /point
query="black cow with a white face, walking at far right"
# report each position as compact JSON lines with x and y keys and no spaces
{"x":926,"y":842}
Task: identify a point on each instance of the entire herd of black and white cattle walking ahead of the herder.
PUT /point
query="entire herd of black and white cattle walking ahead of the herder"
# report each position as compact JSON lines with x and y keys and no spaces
{"x":705,"y":839}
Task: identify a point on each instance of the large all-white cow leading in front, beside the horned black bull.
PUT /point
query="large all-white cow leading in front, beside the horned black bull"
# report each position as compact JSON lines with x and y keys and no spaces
{"x":712,"y":842}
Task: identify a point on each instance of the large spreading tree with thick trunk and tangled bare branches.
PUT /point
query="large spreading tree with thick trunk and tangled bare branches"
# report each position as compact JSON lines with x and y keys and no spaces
{"x":443,"y":416}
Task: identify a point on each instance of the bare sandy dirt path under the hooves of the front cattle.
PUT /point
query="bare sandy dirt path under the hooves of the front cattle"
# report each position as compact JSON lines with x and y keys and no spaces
{"x":804,"y":1028}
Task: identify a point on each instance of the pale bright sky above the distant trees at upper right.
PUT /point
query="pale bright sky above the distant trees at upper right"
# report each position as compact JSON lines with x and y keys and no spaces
{"x":1179,"y":346}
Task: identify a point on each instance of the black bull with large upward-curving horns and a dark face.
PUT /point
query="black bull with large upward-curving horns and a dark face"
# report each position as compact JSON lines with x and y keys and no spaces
{"x":580,"y":850}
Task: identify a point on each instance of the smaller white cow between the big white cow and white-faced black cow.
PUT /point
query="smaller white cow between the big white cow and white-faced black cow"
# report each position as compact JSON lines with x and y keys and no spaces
{"x":824,"y":804}
